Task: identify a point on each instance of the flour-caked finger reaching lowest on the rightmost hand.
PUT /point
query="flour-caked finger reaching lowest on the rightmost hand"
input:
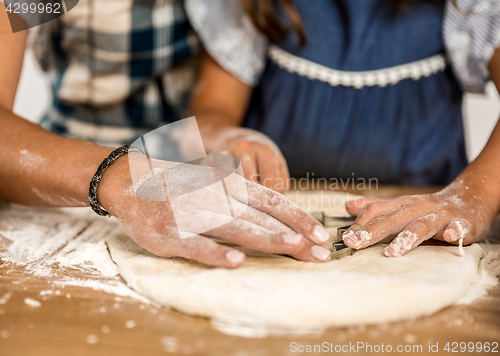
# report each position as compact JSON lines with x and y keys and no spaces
{"x":414,"y":234}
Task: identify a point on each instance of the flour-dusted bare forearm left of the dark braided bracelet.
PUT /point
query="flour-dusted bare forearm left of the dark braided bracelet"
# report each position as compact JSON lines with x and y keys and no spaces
{"x":40,"y":168}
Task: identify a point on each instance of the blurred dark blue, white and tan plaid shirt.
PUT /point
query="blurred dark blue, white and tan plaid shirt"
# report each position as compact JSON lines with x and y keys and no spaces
{"x":122,"y":68}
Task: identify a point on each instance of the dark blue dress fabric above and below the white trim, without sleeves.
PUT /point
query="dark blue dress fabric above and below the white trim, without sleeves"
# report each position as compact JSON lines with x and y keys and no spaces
{"x":408,"y":133}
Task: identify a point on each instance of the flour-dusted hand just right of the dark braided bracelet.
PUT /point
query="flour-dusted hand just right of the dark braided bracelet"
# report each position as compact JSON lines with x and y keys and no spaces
{"x":269,"y":221}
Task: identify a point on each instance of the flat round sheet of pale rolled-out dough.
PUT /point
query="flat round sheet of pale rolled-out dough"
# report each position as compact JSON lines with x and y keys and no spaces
{"x":280,"y":292}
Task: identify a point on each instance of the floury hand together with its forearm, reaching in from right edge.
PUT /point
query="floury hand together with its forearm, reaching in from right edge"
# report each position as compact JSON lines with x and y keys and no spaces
{"x":462,"y":213}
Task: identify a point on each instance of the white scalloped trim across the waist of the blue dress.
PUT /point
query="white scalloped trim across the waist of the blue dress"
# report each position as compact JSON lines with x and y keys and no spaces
{"x":381,"y":77}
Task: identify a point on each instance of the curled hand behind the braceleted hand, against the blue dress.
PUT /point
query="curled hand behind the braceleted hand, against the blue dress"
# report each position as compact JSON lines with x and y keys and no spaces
{"x":261,"y":159}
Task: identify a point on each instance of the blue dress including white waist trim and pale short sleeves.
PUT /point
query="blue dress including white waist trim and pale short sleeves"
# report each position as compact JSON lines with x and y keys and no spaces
{"x":406,"y":131}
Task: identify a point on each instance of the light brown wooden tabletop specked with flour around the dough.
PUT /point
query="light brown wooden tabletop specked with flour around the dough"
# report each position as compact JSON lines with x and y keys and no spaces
{"x":82,"y":321}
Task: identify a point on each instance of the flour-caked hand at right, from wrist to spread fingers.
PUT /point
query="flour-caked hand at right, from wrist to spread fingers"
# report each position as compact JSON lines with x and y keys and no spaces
{"x":452,"y":214}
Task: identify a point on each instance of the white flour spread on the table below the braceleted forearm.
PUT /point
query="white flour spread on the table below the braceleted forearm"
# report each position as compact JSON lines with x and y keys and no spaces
{"x":67,"y":246}
